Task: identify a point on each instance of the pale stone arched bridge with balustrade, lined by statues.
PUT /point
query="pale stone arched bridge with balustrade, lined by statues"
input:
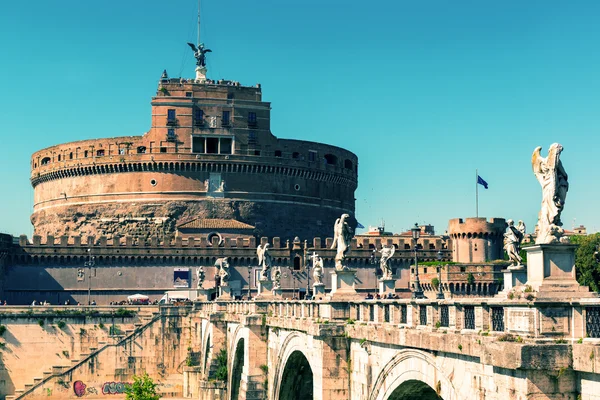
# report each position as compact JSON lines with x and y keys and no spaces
{"x":394,"y":349}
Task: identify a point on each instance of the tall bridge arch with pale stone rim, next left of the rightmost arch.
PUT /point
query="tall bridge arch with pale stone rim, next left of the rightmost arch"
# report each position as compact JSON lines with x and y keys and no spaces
{"x":294,"y":349}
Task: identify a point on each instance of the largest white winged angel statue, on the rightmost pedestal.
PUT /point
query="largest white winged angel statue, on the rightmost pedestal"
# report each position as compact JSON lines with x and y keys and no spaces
{"x":552,"y":177}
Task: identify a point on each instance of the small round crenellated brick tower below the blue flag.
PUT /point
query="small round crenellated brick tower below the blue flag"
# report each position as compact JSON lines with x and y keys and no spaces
{"x":475,"y":240}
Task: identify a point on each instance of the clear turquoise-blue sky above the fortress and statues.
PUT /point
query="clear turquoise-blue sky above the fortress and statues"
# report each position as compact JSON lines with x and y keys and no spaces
{"x":424,"y":92}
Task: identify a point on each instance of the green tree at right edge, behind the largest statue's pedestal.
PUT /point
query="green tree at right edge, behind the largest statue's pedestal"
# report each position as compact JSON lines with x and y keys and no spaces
{"x":588,"y":268}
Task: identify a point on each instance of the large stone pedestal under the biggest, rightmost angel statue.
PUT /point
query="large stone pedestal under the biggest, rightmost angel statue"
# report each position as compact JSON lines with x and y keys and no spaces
{"x":551,"y":271}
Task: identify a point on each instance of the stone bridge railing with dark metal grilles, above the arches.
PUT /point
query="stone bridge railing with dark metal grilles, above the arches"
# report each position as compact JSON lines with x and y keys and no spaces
{"x":545,"y":320}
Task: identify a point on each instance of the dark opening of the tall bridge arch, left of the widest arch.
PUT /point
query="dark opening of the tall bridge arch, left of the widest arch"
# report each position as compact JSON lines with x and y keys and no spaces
{"x":297,"y":379}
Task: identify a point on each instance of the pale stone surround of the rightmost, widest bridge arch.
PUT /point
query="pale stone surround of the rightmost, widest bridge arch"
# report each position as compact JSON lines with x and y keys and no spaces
{"x":411,"y":365}
